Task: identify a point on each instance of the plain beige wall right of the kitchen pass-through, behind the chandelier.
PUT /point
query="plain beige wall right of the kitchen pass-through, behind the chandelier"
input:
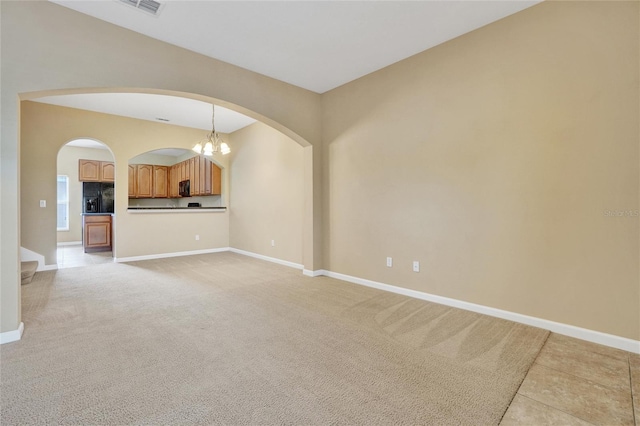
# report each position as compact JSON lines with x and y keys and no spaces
{"x":267,"y":193}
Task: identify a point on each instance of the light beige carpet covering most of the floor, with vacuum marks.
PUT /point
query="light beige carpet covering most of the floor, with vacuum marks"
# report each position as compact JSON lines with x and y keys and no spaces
{"x":227,"y":339}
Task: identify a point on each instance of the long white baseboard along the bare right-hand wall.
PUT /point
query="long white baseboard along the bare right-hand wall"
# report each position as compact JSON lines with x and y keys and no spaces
{"x":611,"y":340}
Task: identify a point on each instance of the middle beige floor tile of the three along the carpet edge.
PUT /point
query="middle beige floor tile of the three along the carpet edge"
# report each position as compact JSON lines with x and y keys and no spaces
{"x":579,"y":397}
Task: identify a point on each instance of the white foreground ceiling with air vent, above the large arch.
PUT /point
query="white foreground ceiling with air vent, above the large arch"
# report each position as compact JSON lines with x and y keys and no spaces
{"x":317,"y":45}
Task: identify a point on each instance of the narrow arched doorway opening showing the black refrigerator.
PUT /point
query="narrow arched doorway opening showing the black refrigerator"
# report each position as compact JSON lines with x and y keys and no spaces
{"x":85,"y":208}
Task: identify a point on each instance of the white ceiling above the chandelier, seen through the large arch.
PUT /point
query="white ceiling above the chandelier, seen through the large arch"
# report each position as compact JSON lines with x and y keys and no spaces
{"x":159,"y":108}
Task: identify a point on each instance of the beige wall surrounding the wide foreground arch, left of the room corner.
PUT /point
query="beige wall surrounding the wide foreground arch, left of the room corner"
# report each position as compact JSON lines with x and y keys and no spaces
{"x":92,"y":55}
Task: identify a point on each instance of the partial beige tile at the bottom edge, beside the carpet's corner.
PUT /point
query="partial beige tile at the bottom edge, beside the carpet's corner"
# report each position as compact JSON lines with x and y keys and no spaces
{"x":526,"y":411}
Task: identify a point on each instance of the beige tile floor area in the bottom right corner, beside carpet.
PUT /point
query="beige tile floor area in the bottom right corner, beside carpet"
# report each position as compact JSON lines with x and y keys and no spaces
{"x":574,"y":382}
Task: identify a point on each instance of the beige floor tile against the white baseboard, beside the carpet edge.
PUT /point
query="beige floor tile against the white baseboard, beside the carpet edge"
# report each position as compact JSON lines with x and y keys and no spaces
{"x":571,"y":358}
